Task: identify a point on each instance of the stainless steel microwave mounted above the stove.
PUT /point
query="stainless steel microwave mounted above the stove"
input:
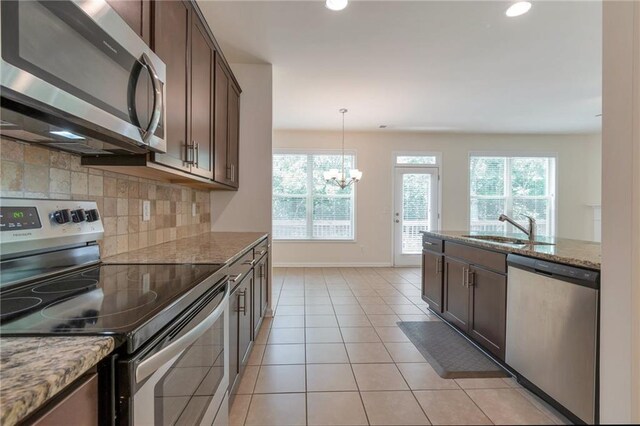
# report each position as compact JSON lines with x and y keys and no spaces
{"x":76,"y":77}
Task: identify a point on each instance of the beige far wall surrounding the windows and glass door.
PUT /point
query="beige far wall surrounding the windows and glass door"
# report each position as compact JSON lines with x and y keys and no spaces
{"x":578,"y":186}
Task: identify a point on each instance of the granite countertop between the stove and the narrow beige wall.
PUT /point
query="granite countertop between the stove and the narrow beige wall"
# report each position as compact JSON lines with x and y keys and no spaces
{"x":212,"y":247}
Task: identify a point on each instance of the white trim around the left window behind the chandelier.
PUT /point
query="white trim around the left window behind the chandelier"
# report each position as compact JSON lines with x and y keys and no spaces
{"x":319,"y":151}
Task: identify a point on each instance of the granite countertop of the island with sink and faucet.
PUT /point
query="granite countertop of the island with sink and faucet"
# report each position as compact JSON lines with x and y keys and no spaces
{"x":579,"y":253}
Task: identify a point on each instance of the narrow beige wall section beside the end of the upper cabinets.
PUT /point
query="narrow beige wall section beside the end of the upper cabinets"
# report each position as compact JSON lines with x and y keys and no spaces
{"x":249,"y":209}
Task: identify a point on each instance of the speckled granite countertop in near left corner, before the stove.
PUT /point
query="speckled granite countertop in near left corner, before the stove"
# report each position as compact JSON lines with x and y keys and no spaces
{"x":33,"y":369}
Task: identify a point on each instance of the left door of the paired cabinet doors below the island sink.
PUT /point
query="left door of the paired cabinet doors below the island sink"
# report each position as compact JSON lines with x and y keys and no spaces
{"x":456,"y":307}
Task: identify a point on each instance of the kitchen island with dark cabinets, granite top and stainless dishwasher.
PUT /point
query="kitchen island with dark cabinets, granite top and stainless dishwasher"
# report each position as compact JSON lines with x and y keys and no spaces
{"x":532,"y":305}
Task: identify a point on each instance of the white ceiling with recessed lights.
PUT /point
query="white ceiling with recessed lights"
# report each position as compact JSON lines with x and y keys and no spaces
{"x":452,"y":66}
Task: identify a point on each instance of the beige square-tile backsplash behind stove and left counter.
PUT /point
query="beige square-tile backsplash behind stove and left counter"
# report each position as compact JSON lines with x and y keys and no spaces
{"x":28,"y":171}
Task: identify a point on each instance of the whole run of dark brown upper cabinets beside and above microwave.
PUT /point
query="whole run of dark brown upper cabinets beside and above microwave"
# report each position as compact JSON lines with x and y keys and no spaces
{"x":202,"y":99}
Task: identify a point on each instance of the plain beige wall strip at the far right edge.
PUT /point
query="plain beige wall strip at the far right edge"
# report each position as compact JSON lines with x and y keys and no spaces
{"x":620,"y":286}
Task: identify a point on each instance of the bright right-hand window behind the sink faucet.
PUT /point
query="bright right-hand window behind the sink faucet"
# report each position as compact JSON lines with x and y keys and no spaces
{"x":514,"y":185}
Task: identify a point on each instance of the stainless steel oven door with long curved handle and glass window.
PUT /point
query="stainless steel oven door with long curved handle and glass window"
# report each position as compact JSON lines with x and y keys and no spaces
{"x":183,"y":377}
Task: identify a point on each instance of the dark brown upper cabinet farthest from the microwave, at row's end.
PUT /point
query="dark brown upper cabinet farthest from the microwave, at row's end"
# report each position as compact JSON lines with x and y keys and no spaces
{"x":226,"y":124}
